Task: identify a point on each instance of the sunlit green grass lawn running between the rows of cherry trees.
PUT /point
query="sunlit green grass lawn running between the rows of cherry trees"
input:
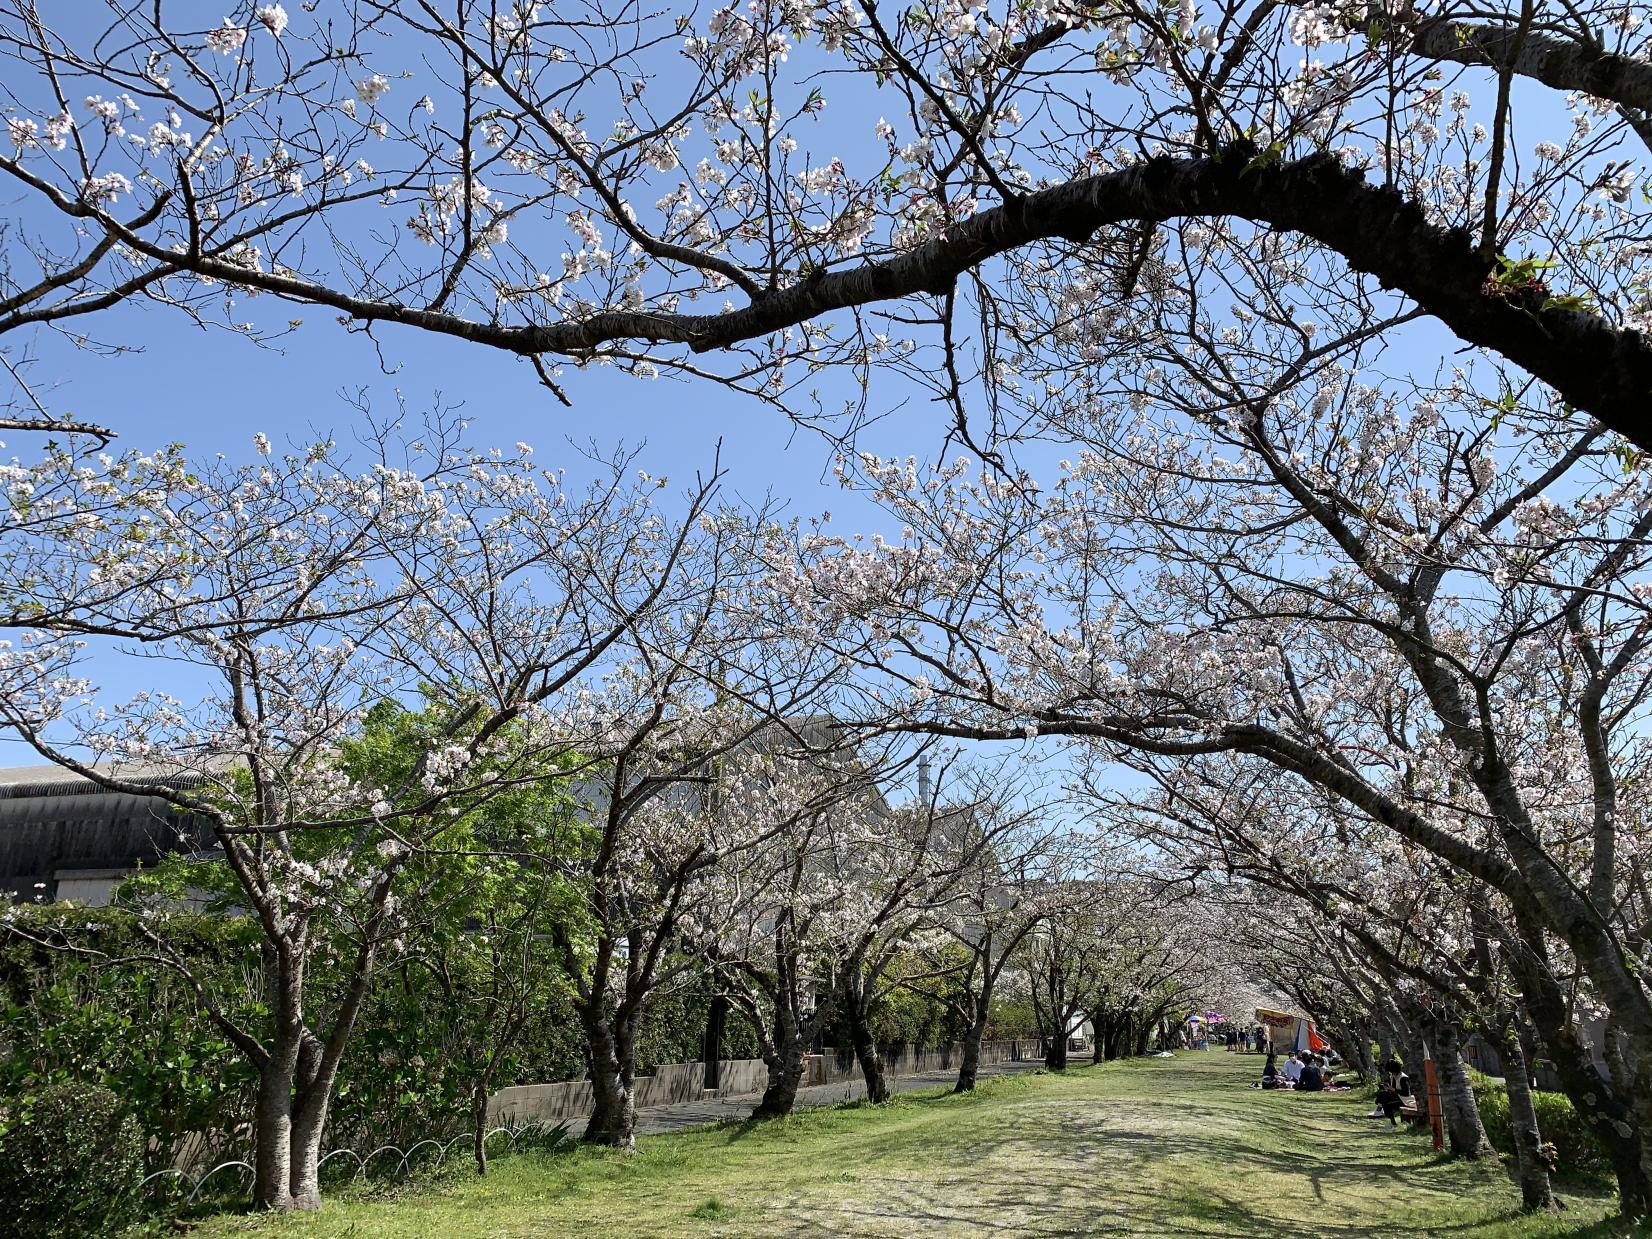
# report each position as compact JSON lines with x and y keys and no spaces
{"x":1136,"y":1149}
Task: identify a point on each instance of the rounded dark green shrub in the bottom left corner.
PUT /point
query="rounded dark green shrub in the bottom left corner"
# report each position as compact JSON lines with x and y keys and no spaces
{"x":72,"y":1162}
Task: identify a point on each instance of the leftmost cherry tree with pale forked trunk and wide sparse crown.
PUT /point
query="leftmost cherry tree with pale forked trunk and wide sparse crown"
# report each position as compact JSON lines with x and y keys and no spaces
{"x":288,"y":601}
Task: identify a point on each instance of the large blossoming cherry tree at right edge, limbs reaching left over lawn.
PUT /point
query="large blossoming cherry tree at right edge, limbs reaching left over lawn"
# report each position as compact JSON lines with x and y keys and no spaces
{"x":1433,"y":617}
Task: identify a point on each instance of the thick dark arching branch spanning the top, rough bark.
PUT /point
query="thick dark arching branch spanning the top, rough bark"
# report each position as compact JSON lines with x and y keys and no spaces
{"x":1592,"y":364}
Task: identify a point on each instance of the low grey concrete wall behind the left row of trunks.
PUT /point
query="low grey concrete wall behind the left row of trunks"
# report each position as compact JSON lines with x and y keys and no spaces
{"x":681,"y":1081}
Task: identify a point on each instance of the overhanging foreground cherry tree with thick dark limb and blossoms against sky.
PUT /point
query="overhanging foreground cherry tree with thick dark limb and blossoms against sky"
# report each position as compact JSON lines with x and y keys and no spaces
{"x":668,"y":192}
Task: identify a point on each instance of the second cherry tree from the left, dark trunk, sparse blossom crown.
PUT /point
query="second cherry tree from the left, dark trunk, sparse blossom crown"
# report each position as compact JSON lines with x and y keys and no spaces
{"x":691,"y":792}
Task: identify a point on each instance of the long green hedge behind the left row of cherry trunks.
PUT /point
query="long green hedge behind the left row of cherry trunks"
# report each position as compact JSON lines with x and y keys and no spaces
{"x":141,"y":1033}
